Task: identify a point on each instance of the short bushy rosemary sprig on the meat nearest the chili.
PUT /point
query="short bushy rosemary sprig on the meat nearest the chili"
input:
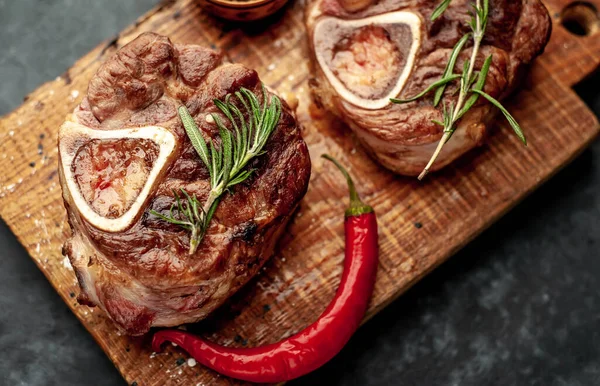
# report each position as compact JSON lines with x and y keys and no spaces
{"x":227,"y":164}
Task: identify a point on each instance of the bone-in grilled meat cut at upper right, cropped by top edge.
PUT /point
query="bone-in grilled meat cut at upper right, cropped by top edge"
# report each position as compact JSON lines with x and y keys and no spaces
{"x":366,"y":51}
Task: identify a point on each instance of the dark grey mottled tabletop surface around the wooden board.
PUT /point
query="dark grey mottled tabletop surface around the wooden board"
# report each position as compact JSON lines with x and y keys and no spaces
{"x":520,"y":305}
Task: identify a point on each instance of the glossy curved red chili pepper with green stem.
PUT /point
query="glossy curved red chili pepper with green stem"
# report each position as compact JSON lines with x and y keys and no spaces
{"x":314,"y":346}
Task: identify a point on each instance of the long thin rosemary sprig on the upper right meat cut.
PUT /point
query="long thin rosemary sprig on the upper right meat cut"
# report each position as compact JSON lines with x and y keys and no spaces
{"x":471,"y":83}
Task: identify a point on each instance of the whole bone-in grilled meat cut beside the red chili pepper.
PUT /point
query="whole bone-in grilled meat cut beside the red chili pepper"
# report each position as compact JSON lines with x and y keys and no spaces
{"x":124,"y":152}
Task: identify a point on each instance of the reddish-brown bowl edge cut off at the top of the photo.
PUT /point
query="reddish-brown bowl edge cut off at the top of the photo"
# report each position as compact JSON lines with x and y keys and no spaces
{"x":242,"y":10}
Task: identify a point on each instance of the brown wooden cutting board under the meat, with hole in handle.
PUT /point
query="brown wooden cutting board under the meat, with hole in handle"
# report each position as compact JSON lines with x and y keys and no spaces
{"x":421,"y":223}
